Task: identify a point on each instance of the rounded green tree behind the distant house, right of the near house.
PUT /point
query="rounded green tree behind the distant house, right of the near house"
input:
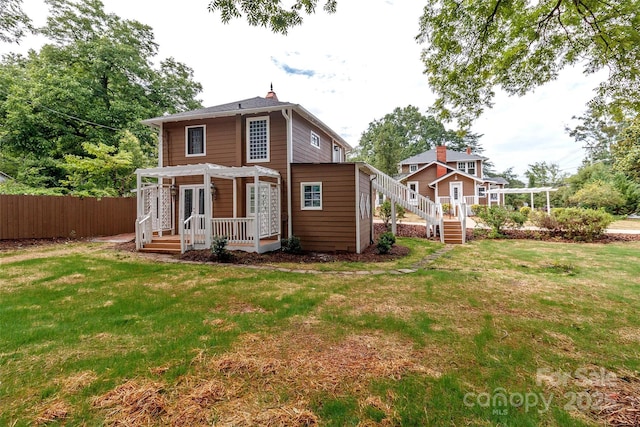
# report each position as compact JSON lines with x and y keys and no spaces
{"x":404,"y":133}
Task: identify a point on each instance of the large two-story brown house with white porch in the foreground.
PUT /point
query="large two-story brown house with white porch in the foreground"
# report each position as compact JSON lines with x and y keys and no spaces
{"x":254,"y":171}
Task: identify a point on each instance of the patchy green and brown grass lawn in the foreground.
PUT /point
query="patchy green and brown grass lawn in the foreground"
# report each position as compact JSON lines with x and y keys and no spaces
{"x":492,"y":333}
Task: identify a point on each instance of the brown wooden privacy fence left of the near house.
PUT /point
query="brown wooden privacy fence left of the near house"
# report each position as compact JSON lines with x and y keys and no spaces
{"x":33,"y":217}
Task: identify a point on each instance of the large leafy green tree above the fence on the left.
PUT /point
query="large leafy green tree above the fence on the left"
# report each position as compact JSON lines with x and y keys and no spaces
{"x":94,"y":80}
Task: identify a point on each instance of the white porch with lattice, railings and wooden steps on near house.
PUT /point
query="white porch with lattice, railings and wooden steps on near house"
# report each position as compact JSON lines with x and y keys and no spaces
{"x":194,"y":226}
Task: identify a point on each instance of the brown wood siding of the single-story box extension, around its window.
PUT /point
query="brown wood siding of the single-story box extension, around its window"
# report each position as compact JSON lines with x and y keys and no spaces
{"x":334,"y":227}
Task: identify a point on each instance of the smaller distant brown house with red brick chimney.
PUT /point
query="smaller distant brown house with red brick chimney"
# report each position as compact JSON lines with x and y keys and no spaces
{"x":450,"y":177}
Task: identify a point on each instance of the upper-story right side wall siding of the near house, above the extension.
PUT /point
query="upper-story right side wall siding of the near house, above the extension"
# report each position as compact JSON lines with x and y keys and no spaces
{"x":303,"y":151}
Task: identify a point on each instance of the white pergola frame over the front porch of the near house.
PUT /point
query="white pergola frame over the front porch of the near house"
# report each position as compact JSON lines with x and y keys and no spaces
{"x":209,"y":171}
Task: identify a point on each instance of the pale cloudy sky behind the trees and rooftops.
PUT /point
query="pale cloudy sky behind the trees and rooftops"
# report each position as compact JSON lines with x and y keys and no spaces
{"x":348,"y":69}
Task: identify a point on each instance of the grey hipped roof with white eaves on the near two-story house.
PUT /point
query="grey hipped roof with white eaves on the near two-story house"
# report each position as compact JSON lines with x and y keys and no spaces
{"x":255,"y":105}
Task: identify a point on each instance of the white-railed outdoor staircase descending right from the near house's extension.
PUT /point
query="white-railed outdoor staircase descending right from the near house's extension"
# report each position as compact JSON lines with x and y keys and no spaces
{"x":451,"y":230}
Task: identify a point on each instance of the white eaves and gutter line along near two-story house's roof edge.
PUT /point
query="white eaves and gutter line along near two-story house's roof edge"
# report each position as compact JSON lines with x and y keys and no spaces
{"x":157,"y":121}
